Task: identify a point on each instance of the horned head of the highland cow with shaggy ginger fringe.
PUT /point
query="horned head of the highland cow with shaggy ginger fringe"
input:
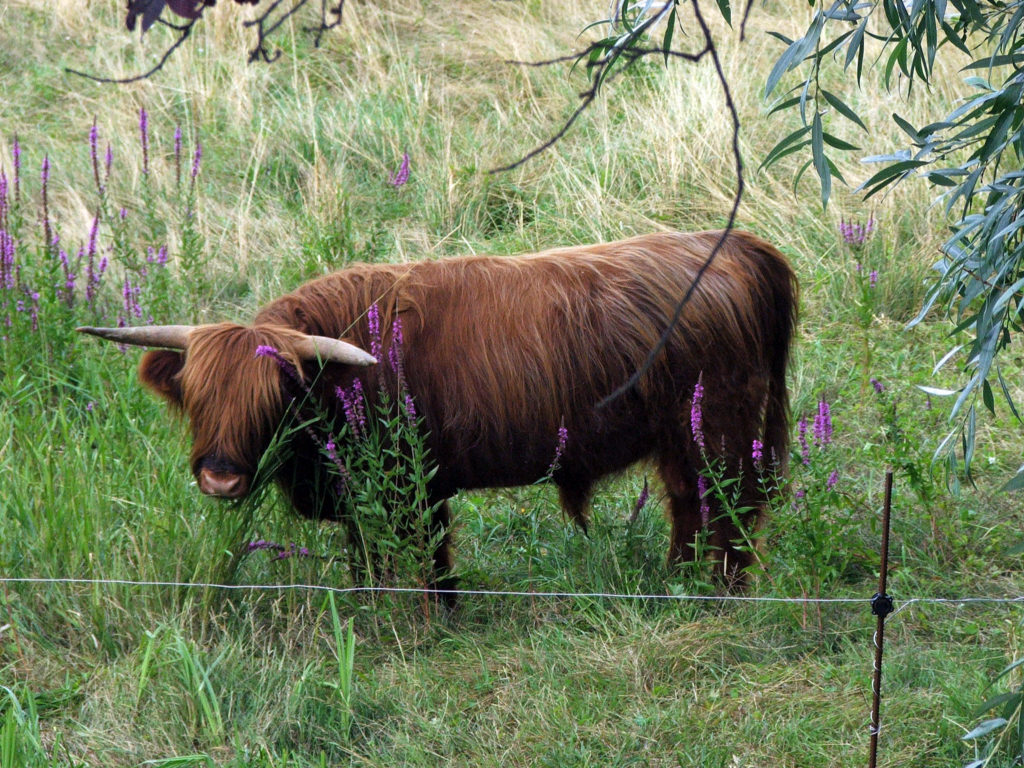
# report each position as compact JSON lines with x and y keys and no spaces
{"x":234,"y":398}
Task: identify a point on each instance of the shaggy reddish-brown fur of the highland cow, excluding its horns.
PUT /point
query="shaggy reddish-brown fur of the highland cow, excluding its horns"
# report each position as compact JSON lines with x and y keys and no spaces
{"x":500,"y":353}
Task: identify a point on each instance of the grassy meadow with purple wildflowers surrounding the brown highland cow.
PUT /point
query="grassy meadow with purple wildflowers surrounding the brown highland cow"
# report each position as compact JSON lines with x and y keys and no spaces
{"x":206,"y":191}
